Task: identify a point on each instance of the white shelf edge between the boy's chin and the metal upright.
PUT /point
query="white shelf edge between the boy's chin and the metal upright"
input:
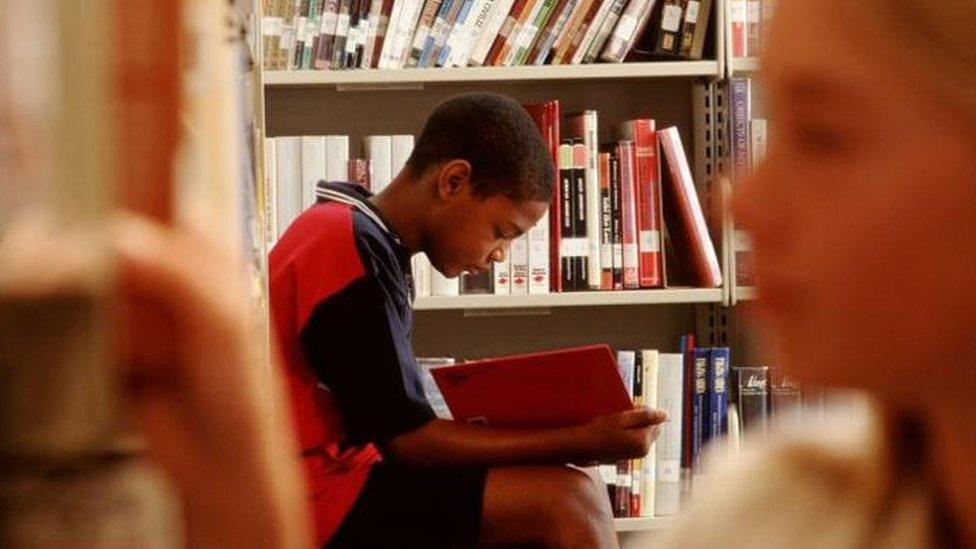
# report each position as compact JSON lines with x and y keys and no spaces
{"x":572,"y":299}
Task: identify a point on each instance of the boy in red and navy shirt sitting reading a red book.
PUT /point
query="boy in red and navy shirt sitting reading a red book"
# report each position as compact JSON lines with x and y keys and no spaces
{"x":382,"y":470}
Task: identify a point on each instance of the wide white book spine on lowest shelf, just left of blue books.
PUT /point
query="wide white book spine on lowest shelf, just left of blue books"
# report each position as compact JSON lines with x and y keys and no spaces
{"x":667,"y":485}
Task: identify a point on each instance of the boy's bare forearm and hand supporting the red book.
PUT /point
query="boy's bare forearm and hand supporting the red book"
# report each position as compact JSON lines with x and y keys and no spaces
{"x":448,"y":443}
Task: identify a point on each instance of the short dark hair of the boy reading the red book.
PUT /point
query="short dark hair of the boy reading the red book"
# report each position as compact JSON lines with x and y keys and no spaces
{"x":496,"y":135}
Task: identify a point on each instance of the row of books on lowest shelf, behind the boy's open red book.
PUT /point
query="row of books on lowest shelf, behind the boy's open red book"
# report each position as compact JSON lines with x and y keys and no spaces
{"x":707,"y":401}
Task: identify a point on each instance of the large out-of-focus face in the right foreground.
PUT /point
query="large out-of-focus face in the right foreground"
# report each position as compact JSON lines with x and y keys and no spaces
{"x":864,"y":214}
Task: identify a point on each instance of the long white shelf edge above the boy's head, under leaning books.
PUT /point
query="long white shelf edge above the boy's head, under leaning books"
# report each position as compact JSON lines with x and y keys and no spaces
{"x":393,"y":77}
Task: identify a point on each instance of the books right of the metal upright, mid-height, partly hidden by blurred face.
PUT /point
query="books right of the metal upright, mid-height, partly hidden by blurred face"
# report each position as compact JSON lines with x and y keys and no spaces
{"x":748,"y":143}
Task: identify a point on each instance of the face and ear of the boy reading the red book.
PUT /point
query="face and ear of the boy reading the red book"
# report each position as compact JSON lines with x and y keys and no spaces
{"x":468,"y":233}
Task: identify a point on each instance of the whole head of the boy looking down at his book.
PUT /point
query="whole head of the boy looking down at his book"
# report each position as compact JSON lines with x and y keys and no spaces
{"x":488,"y":176}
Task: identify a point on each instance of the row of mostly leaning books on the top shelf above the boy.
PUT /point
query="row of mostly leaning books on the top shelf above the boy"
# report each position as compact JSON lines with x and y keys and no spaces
{"x":346,"y":34}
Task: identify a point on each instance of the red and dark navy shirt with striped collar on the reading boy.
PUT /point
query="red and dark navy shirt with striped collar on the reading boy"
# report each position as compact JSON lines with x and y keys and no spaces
{"x":341,"y":302}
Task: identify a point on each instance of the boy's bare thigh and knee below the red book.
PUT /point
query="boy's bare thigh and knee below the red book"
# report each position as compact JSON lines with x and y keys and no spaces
{"x":530,"y":504}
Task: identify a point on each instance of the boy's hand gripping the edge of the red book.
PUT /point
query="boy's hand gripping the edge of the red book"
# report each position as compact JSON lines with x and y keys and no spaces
{"x":624,"y":435}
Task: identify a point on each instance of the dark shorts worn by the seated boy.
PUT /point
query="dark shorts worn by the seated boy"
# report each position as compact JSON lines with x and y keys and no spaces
{"x":407,"y":507}
